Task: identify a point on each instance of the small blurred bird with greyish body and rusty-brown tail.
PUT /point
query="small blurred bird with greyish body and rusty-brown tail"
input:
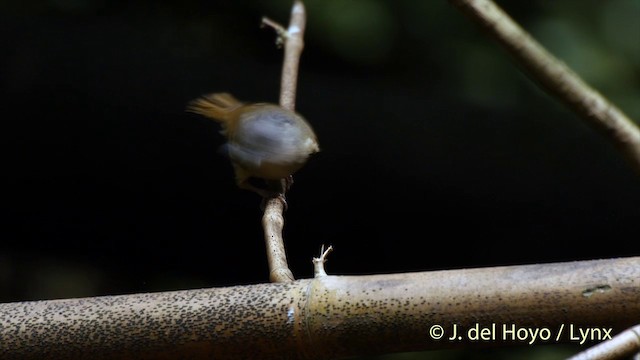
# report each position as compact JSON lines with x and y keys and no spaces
{"x":264,"y":140}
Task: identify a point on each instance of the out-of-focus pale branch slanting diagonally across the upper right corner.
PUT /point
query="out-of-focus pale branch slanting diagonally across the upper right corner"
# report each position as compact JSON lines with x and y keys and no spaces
{"x":556,"y":77}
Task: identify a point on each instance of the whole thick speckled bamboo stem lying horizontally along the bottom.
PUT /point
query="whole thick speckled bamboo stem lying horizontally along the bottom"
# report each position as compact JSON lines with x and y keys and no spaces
{"x":329,"y":316}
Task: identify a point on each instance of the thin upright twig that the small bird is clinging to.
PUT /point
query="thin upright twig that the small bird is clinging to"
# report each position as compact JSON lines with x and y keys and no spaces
{"x":272,"y":220}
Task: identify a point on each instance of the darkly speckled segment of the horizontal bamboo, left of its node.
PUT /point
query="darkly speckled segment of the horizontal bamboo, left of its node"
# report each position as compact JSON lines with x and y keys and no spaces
{"x":155,"y":325}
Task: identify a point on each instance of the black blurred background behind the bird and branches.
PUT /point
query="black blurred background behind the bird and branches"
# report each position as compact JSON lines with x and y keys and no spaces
{"x":437,"y":152}
